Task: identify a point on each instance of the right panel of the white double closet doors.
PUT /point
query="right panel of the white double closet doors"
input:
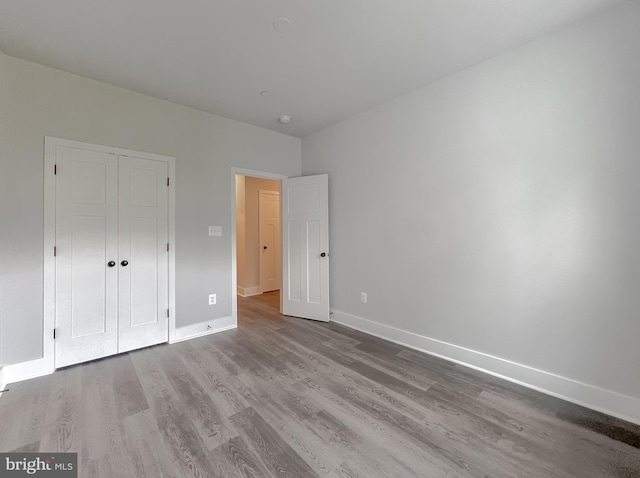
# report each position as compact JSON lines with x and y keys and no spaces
{"x":143,"y":259}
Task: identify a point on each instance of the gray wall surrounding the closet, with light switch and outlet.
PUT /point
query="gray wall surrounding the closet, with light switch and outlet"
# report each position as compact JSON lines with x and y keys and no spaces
{"x":37,"y":101}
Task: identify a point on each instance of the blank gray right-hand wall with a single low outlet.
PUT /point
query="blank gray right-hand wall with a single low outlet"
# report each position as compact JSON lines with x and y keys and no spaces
{"x":497,"y":209}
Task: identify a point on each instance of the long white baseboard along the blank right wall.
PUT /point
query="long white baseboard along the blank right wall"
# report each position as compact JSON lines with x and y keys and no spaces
{"x":590,"y":396}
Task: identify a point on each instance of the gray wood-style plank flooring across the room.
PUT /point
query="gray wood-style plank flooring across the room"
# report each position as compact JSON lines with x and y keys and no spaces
{"x":287,"y":397}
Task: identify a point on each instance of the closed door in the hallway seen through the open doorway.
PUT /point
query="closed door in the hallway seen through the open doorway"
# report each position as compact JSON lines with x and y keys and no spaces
{"x":270,"y":261}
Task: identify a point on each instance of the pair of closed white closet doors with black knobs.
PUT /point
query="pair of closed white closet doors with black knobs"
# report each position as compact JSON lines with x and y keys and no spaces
{"x":111,"y":254}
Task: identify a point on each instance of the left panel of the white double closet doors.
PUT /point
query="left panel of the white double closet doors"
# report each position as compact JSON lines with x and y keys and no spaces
{"x":86,"y":243}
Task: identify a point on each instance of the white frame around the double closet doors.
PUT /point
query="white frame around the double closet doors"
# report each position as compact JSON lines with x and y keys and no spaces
{"x":49,"y":285}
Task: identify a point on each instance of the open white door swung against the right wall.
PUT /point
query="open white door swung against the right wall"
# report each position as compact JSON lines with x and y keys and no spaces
{"x":305,"y":240}
